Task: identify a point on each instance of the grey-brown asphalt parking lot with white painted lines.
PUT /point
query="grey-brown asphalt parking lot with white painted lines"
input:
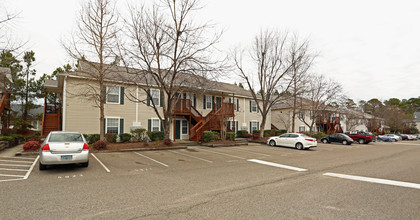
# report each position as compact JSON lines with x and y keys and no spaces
{"x":330,"y":181}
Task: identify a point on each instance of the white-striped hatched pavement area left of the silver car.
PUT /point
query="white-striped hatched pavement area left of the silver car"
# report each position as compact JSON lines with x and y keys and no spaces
{"x":16,"y":168}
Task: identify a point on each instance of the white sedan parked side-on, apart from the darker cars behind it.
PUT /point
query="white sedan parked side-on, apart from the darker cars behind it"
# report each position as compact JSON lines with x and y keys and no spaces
{"x":296,"y":140}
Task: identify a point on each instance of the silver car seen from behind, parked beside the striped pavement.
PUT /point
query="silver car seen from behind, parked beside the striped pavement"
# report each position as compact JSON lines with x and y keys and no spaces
{"x":63,"y":148}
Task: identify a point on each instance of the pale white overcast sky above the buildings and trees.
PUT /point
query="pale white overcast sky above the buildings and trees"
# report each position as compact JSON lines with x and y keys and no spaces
{"x":371,"y":47}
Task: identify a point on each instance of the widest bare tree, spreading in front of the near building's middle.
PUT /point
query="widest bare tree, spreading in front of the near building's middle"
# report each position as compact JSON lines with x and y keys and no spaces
{"x":171,"y":52}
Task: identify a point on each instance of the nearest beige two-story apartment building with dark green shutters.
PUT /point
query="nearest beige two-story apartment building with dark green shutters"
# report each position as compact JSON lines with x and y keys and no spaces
{"x":198,"y":107}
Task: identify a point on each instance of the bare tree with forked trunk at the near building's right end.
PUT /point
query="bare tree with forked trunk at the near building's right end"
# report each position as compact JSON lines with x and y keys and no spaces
{"x":274,"y":56}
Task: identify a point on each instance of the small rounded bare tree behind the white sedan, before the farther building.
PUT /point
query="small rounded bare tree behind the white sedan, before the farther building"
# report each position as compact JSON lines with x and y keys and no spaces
{"x":321,"y":93}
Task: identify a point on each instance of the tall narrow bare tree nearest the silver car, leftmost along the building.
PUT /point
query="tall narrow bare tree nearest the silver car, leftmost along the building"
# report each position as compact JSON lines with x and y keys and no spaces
{"x":93,"y":44}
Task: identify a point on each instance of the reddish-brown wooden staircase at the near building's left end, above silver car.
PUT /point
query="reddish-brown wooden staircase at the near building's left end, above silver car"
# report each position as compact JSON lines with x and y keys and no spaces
{"x":51,"y":118}
